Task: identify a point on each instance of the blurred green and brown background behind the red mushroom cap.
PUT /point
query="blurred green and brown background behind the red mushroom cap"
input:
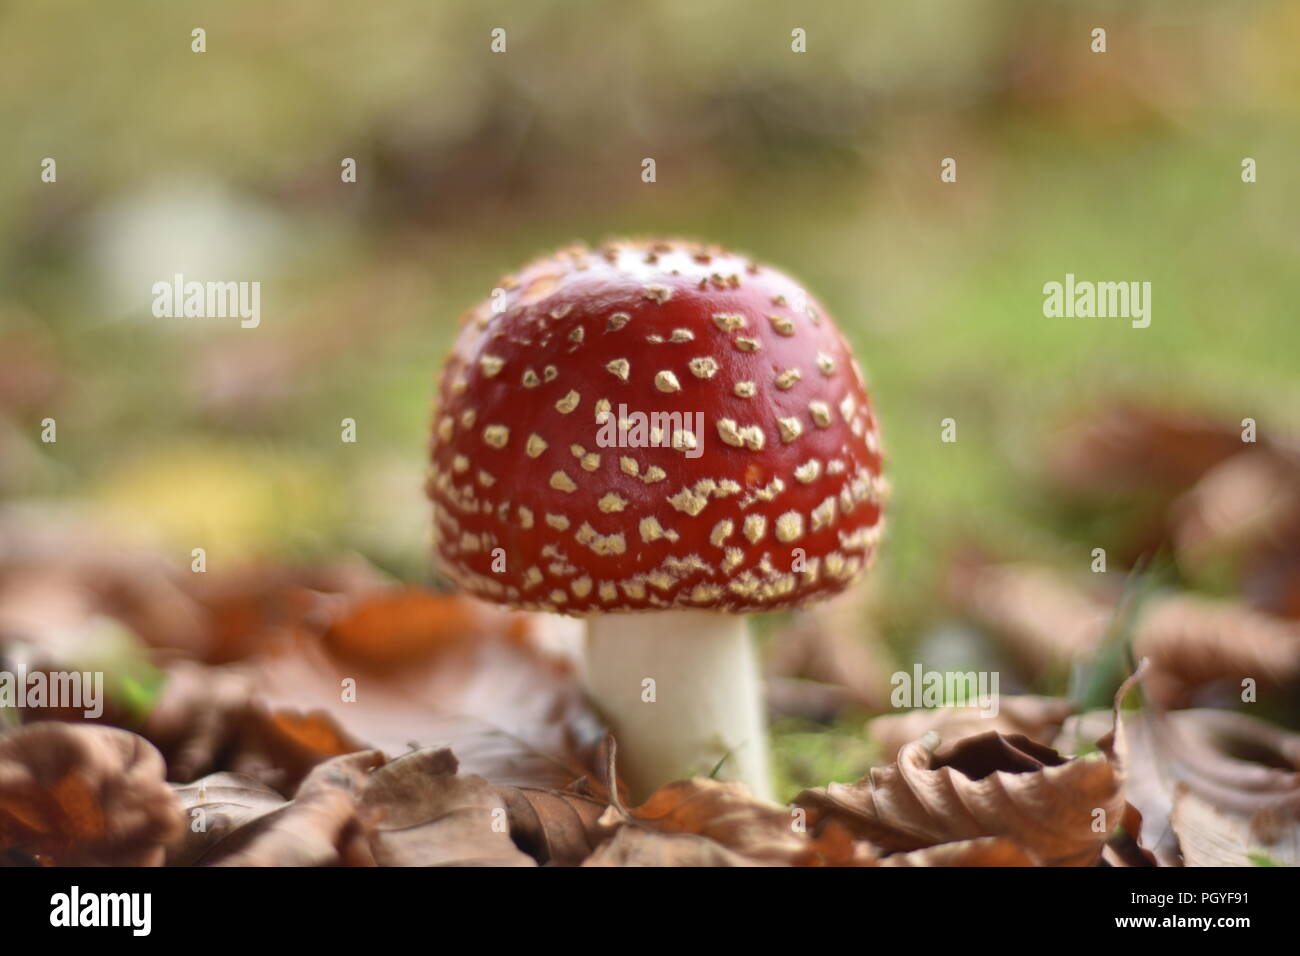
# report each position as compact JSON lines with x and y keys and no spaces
{"x":226,"y":165}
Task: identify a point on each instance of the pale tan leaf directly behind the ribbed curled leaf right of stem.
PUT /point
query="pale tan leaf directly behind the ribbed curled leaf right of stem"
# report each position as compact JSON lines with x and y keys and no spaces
{"x":1038,"y":719}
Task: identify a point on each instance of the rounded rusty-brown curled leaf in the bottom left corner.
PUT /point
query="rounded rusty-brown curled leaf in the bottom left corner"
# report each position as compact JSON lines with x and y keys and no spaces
{"x":75,"y":797}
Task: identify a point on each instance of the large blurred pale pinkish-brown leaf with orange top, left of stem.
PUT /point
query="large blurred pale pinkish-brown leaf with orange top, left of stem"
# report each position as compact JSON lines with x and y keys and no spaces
{"x":510,"y":712}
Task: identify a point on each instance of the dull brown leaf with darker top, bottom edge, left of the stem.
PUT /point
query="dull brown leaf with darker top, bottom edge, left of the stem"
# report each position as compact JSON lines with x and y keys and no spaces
{"x":419,"y":812}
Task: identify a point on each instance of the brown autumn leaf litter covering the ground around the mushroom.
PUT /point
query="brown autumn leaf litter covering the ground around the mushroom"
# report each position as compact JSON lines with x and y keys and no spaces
{"x":324,"y":716}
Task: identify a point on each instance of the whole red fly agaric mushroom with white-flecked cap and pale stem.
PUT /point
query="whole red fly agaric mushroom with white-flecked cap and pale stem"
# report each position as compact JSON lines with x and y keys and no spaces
{"x":661,"y":438}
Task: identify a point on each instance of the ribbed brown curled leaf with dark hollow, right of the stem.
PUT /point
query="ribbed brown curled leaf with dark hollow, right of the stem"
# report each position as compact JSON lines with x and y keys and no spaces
{"x":1059,"y":811}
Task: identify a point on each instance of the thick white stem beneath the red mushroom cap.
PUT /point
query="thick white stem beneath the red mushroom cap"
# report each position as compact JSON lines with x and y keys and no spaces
{"x":704,"y":710}
